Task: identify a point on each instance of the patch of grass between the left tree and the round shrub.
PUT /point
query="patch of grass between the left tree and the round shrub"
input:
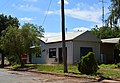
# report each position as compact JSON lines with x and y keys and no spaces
{"x":56,"y":68}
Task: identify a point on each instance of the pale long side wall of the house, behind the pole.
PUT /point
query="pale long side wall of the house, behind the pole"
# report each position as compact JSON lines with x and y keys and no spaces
{"x":44,"y":59}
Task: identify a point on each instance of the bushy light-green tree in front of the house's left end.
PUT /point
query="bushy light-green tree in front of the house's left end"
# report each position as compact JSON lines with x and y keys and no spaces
{"x":17,"y":42}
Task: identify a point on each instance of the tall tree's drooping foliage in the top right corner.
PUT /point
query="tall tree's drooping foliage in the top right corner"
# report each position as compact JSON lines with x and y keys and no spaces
{"x":114,"y":16}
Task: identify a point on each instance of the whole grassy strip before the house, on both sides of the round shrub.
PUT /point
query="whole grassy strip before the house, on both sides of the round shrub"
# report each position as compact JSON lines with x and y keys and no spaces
{"x":107,"y":71}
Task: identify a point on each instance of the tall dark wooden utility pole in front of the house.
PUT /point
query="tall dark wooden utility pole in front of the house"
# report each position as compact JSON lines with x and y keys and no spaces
{"x":63,"y":37}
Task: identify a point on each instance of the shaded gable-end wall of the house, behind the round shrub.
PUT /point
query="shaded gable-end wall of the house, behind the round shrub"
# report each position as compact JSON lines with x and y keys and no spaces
{"x":86,"y":40}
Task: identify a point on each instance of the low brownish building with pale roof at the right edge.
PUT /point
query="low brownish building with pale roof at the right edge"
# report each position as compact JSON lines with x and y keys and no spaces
{"x":110,"y":54}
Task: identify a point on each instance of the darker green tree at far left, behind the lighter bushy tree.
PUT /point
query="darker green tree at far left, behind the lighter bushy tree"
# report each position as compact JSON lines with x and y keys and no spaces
{"x":5,"y":22}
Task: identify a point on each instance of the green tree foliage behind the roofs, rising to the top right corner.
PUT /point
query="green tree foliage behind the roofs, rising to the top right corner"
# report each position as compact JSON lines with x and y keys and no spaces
{"x":112,"y":28}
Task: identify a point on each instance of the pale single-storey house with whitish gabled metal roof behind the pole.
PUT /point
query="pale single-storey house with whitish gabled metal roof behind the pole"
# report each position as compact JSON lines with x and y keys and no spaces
{"x":78,"y":44}
